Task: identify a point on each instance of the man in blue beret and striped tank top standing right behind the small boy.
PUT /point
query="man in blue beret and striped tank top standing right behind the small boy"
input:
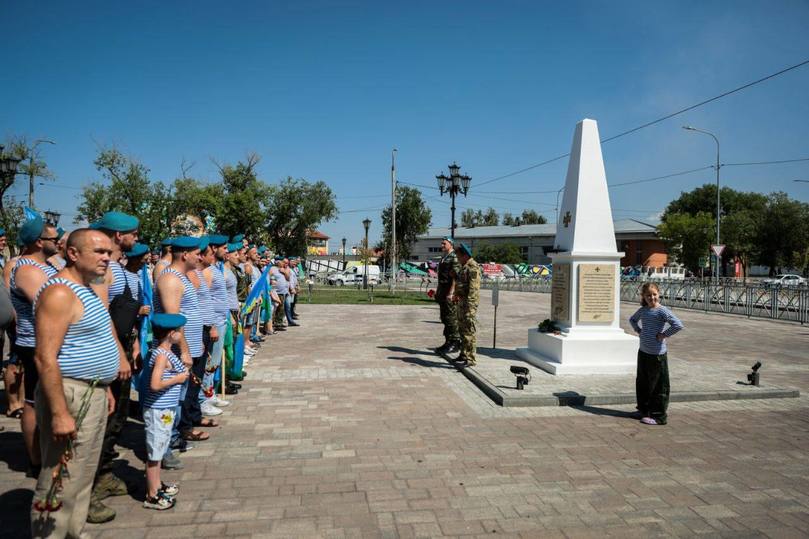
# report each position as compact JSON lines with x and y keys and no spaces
{"x":176,"y":295}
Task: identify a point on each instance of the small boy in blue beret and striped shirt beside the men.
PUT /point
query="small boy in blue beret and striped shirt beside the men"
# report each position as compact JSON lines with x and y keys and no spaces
{"x":166,"y":375}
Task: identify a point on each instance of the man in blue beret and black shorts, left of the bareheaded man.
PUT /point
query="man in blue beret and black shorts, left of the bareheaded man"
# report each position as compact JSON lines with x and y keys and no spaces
{"x":29,"y":273}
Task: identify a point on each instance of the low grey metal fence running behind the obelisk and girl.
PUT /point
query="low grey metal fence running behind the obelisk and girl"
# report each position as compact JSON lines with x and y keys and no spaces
{"x":753,"y":301}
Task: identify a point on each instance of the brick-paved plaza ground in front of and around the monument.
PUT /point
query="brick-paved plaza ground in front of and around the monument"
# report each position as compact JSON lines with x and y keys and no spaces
{"x":348,"y":427}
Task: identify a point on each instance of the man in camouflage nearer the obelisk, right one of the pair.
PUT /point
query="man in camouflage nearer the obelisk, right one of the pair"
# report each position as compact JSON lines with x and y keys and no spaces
{"x":467,"y":297}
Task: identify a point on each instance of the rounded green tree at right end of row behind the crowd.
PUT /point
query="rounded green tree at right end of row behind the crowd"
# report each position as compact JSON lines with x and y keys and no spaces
{"x":293,"y":209}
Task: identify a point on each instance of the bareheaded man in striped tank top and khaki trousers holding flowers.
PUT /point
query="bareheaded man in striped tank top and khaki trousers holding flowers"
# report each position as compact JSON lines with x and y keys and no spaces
{"x":75,"y":349}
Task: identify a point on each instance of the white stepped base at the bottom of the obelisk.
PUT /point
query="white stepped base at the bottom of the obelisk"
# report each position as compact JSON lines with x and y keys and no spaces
{"x":602,"y":351}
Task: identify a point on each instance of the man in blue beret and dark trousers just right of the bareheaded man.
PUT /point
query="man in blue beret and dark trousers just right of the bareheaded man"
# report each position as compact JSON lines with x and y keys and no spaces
{"x":119,"y":294}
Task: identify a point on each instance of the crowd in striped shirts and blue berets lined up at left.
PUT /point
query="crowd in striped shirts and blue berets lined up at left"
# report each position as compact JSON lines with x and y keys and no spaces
{"x":81,"y":341}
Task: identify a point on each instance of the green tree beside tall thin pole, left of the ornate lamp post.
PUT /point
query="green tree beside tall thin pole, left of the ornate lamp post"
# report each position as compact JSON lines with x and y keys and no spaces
{"x":412,"y":219}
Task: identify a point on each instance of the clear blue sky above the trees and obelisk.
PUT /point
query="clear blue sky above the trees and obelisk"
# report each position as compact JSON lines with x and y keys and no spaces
{"x":324,"y":90}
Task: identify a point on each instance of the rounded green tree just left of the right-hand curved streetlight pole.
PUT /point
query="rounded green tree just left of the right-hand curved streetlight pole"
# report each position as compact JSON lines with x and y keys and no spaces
{"x":687,"y":236}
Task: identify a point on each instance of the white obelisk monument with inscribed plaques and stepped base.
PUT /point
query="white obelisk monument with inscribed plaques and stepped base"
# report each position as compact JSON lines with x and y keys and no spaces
{"x":585,"y":296}
